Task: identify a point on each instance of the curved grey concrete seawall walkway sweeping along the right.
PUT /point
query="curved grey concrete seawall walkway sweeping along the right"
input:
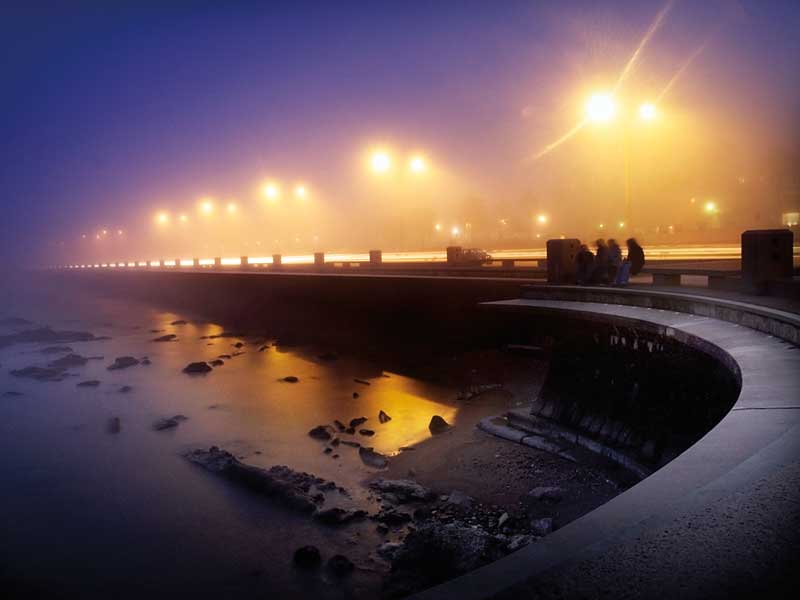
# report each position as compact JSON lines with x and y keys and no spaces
{"x":725,"y":509}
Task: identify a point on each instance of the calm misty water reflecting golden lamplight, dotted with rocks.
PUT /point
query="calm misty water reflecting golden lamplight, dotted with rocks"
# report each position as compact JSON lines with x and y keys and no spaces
{"x":87,"y":513}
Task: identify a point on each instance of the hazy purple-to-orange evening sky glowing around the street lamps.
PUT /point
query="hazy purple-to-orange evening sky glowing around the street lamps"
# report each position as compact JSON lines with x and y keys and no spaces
{"x":111,"y":117}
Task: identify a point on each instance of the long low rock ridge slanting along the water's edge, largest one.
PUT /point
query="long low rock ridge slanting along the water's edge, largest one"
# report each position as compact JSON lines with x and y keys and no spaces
{"x":300,"y":491}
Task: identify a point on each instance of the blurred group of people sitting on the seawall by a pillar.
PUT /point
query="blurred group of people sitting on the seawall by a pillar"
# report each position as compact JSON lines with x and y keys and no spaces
{"x":606,"y":265}
